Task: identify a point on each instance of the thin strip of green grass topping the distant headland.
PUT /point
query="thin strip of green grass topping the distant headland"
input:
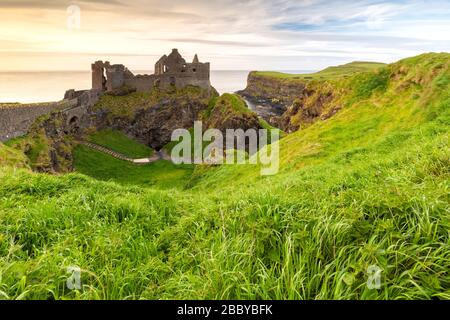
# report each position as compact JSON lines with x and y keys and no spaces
{"x":345,"y":70}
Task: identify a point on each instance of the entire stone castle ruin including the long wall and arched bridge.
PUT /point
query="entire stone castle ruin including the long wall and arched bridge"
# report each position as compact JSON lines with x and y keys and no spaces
{"x":170,"y":71}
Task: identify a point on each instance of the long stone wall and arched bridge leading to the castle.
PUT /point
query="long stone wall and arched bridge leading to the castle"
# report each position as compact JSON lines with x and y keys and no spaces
{"x":16,"y":119}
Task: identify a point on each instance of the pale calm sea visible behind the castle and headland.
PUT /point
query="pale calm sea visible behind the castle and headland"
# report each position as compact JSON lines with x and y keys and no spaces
{"x":28,"y":87}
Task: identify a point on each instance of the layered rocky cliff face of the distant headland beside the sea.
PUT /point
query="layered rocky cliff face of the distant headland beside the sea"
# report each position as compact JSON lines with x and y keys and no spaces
{"x":290,"y":104}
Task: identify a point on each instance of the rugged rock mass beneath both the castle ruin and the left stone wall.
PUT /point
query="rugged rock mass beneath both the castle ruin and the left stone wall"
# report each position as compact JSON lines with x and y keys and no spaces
{"x":148,"y":117}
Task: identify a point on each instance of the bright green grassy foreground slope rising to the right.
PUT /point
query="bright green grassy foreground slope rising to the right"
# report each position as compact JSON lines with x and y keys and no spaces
{"x":366,"y":187}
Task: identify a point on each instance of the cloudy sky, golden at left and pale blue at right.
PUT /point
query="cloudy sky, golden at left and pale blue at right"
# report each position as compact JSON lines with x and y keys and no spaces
{"x":47,"y":35}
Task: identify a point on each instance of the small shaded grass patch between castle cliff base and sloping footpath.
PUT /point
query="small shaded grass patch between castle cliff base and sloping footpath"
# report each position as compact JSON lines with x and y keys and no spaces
{"x":118,"y":141}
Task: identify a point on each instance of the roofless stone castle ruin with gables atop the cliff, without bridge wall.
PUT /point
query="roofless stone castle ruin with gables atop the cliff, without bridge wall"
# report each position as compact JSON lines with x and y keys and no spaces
{"x":170,"y":71}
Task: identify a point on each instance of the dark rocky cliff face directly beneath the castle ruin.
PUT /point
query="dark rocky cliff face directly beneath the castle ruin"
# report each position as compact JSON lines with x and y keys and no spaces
{"x":152,"y":117}
